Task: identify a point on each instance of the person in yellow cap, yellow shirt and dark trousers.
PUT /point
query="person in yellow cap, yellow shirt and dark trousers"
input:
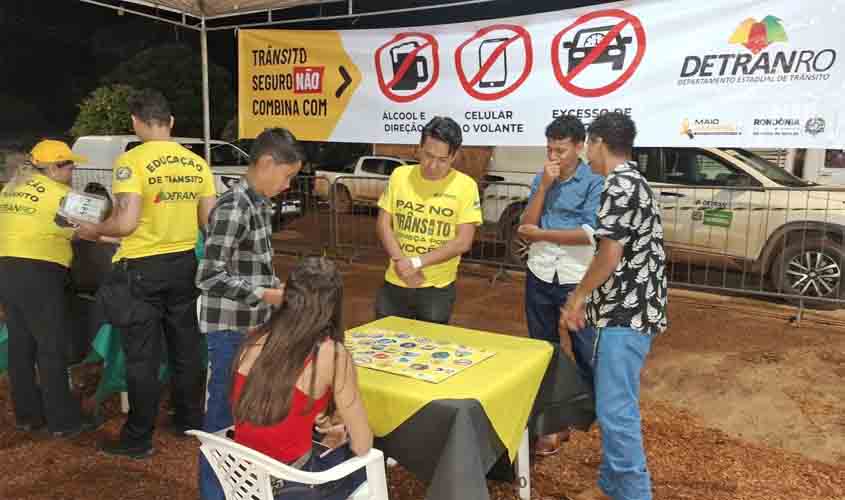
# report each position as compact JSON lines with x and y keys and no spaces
{"x":35,"y":254}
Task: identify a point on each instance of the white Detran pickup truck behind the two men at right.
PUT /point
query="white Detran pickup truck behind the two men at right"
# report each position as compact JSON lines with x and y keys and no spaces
{"x":732,"y":209}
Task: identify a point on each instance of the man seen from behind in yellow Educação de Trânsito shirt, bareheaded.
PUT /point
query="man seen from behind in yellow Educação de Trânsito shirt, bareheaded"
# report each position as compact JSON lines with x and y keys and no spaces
{"x":163,"y":195}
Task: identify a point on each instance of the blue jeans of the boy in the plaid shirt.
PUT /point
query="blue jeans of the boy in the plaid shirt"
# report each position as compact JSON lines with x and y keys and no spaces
{"x":222,"y":348}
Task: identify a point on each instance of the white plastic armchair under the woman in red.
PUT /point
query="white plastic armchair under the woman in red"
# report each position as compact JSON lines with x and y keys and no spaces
{"x":245,"y":473}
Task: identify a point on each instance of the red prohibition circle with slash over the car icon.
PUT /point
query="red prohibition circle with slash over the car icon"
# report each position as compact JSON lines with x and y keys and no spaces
{"x":565,"y":80}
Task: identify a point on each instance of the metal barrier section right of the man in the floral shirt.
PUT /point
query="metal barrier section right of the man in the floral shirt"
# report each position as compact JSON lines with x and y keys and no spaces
{"x":776,"y":242}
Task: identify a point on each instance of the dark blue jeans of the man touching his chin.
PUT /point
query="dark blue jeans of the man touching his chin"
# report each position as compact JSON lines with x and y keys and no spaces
{"x":542,"y":312}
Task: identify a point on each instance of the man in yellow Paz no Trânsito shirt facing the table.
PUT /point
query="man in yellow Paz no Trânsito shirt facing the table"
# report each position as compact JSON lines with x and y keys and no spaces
{"x":427,"y":219}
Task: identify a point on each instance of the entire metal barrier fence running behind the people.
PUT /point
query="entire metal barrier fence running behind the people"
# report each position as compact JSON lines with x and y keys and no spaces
{"x":786,"y":243}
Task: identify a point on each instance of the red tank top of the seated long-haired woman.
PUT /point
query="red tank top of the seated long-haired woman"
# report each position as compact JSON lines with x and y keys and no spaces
{"x":287,"y":440}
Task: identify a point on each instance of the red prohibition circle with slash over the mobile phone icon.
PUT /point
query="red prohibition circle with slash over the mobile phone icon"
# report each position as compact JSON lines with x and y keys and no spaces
{"x":469,"y":84}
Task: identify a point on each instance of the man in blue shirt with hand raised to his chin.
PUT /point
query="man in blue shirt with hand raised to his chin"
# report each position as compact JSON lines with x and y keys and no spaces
{"x":559,"y":221}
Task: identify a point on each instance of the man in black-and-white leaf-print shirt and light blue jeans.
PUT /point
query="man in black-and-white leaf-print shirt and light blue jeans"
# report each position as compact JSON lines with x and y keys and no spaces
{"x":623,"y":296}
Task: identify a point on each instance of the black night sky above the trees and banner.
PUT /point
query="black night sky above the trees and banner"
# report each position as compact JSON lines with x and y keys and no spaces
{"x":54,"y":52}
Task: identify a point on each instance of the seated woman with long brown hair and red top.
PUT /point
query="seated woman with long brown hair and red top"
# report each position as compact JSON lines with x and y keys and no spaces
{"x":294,"y":373}
